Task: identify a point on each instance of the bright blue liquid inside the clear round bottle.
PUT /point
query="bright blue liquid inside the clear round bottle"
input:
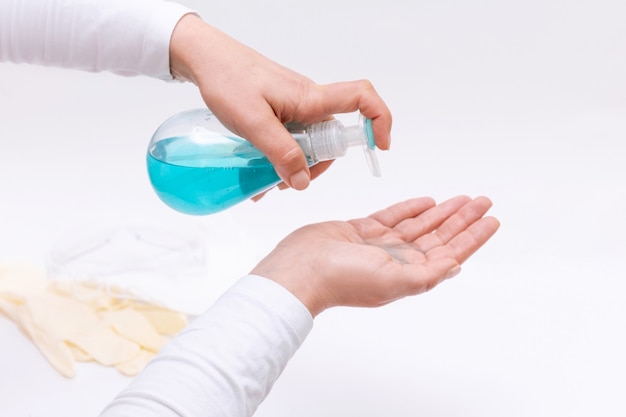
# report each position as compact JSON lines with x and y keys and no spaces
{"x":196,"y":177}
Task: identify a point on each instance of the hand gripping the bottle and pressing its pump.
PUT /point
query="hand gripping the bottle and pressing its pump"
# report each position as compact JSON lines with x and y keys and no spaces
{"x":254,"y":97}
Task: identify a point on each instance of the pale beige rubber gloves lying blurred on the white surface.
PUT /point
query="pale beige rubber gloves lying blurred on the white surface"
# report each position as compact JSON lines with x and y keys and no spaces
{"x":73,"y":321}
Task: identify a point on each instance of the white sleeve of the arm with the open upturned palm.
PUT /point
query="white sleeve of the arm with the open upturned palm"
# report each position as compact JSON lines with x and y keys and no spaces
{"x":226,"y":361}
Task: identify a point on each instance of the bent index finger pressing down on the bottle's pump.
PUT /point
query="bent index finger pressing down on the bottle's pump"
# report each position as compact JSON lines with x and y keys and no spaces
{"x":346,"y":97}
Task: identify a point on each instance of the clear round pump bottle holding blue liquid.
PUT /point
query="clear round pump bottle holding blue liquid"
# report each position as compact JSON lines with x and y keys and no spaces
{"x":197,"y":166}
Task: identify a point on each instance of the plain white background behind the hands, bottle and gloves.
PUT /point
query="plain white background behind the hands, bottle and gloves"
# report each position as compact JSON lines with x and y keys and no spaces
{"x":524,"y":102}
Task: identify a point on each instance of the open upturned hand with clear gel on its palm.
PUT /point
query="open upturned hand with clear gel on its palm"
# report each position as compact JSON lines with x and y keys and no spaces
{"x":403,"y":250}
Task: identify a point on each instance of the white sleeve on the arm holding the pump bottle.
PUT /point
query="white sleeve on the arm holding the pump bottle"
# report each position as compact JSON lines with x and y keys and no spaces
{"x":127,"y":37}
